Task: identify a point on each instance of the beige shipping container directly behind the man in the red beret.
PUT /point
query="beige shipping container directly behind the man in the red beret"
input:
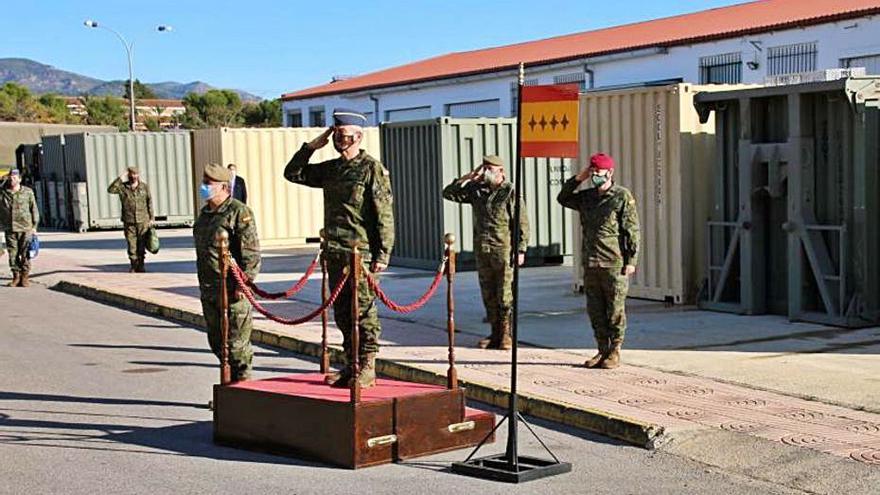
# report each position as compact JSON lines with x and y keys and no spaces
{"x":664,"y":156}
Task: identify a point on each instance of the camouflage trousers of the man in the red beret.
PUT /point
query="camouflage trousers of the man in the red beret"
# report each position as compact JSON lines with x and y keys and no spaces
{"x":606,"y":291}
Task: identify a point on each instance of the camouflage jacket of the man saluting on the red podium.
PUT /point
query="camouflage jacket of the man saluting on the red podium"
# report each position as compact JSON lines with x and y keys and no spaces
{"x":357,"y":200}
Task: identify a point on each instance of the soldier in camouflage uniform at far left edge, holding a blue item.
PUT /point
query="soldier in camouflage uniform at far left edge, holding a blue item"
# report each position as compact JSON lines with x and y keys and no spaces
{"x":19,"y":217}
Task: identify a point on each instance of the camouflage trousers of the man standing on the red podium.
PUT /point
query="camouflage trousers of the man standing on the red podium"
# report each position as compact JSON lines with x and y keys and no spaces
{"x":368,"y":318}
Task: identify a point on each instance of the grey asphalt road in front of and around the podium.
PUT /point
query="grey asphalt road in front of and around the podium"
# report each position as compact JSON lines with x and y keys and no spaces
{"x":93,"y":398}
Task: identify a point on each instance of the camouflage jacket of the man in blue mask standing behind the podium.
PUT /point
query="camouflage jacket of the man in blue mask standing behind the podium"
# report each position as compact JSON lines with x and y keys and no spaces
{"x":237,"y":219}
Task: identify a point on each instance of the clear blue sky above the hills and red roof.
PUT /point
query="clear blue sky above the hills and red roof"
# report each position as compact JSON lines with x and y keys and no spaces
{"x":270,"y":47}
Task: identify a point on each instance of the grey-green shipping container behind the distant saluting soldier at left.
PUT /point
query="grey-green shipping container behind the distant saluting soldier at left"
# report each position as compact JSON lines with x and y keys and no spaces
{"x":96,"y":160}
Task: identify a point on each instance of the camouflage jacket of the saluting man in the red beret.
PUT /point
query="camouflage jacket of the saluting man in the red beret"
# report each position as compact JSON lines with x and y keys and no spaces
{"x":609,"y":224}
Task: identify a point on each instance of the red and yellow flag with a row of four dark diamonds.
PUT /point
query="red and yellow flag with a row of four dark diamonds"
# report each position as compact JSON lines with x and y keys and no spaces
{"x":549,"y":121}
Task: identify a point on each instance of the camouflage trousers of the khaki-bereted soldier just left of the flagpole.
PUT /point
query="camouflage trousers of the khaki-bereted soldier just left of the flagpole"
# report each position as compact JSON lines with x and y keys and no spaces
{"x":496,"y":283}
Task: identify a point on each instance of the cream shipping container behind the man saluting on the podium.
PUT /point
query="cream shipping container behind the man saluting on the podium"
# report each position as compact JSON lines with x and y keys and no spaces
{"x":287,"y":214}
